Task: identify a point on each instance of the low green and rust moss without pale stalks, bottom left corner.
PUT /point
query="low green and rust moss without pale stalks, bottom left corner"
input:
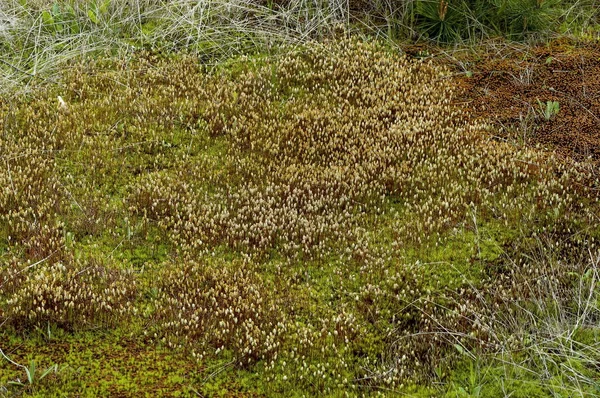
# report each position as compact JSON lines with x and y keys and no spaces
{"x":98,"y":364}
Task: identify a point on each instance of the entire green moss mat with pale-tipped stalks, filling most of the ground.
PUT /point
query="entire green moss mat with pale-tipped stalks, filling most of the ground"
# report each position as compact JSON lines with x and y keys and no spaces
{"x":318,"y":223}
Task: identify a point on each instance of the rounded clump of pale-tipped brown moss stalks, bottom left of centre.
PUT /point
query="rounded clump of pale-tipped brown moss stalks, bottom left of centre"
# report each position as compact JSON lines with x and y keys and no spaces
{"x":210,"y":308}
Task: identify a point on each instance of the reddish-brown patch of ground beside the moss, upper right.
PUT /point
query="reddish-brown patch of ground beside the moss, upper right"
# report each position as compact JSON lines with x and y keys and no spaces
{"x":509,"y":85}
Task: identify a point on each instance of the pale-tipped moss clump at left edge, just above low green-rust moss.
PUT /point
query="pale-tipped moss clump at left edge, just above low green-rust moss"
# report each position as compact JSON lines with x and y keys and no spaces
{"x":72,"y":295}
